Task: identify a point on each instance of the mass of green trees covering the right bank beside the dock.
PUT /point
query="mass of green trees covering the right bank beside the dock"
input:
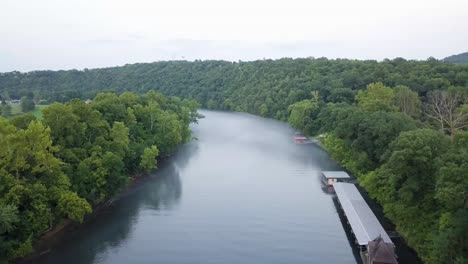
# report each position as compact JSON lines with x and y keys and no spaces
{"x":411,"y":155}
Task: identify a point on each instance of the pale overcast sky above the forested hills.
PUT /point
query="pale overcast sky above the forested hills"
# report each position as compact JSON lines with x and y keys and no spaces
{"x":78,"y":34}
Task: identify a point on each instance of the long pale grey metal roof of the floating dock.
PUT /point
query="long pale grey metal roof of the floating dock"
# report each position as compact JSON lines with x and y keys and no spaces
{"x":364,"y":223}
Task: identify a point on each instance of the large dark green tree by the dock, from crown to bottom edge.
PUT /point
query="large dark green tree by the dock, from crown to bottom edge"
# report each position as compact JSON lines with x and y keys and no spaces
{"x":406,"y":186}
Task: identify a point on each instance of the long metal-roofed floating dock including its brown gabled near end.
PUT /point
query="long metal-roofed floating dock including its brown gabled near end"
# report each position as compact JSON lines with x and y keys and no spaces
{"x":371,"y":237}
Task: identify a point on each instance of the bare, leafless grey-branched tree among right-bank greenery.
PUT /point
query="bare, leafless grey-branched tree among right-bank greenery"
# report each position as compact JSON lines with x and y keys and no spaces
{"x":448,"y":110}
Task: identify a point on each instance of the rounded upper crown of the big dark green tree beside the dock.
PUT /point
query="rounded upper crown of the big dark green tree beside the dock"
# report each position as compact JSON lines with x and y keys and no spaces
{"x":410,"y":165}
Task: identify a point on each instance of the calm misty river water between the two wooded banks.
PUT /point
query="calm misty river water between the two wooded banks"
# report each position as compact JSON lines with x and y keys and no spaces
{"x":242,"y":193}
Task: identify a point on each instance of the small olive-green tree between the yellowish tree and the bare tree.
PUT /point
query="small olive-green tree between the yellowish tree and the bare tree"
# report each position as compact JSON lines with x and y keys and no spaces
{"x":407,"y":101}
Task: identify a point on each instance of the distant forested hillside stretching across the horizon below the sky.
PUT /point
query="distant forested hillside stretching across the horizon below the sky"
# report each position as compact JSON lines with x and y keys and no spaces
{"x":264,"y":87}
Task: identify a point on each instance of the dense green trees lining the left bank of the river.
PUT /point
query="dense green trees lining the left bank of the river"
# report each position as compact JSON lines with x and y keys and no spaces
{"x":80,"y":155}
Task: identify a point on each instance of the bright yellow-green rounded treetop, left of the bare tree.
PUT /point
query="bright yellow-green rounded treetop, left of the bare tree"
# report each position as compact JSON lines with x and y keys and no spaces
{"x":376,"y":97}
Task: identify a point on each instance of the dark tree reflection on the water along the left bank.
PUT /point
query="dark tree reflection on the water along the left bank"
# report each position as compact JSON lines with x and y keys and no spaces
{"x":109,"y":230}
